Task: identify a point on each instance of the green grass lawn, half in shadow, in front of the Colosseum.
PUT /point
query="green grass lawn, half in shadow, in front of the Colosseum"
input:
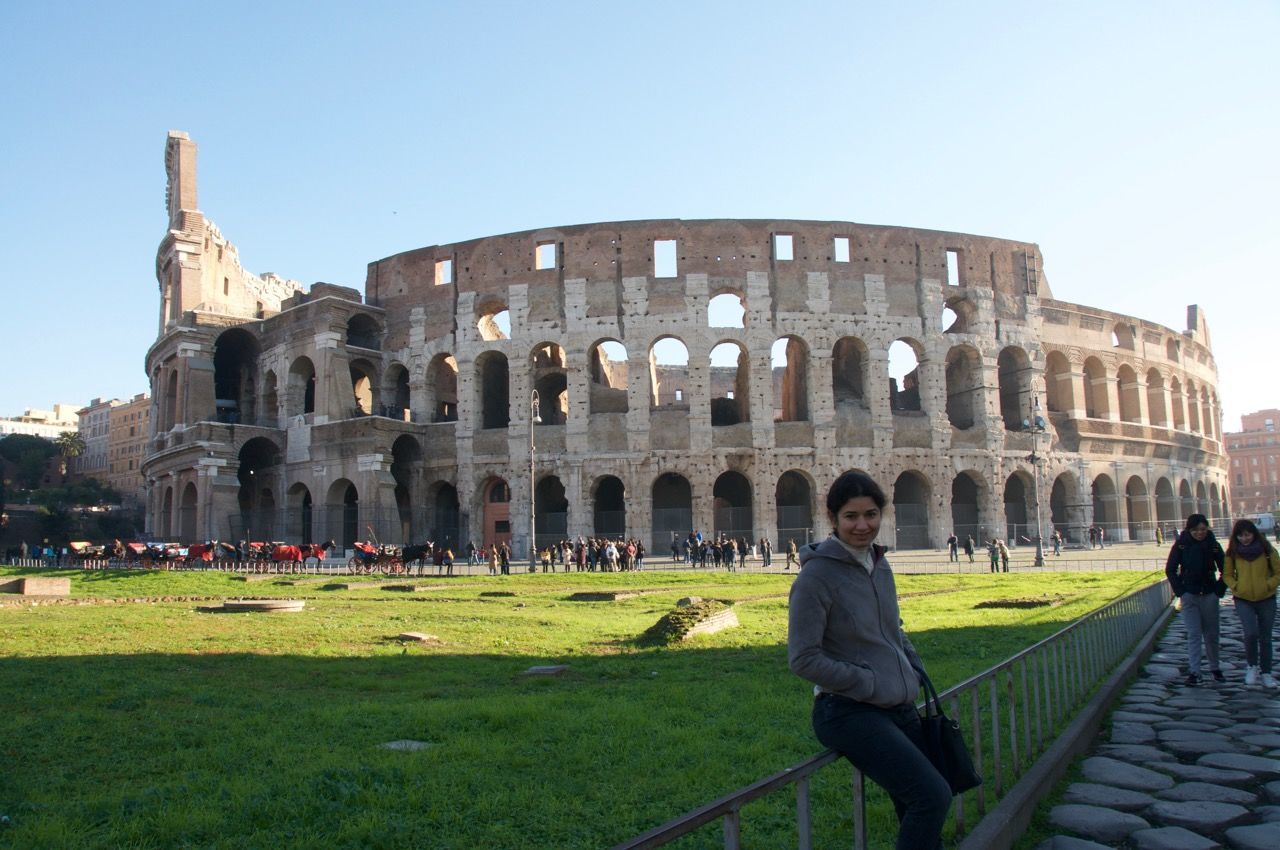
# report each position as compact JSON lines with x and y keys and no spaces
{"x":161,"y":725}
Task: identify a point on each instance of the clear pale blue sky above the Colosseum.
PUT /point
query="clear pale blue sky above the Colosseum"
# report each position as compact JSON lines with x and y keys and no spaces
{"x":1137,"y":143}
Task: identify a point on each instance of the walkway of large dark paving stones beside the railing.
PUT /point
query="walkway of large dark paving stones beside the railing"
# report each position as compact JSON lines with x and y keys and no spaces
{"x":1183,"y":769}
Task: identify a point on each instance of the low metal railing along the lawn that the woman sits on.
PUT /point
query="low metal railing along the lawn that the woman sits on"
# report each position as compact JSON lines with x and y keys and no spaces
{"x":1011,"y":715}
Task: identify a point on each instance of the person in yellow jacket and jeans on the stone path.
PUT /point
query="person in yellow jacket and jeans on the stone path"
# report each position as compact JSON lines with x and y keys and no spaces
{"x":1252,"y":572}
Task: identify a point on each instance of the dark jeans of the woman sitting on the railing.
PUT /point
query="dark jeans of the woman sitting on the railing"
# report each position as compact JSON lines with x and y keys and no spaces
{"x":884,"y":744}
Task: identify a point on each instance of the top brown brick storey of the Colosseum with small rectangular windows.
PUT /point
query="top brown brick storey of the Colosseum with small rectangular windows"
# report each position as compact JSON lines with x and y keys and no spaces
{"x":726,"y":252}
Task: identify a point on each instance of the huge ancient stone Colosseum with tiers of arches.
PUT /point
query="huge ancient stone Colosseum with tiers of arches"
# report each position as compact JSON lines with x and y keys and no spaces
{"x":652,"y":378}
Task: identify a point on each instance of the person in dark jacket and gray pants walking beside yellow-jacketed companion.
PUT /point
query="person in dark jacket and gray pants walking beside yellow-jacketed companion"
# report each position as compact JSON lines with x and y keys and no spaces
{"x":1194,"y":568}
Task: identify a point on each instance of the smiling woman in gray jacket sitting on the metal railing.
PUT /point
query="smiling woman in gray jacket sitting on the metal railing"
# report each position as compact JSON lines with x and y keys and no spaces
{"x":845,"y":637}
